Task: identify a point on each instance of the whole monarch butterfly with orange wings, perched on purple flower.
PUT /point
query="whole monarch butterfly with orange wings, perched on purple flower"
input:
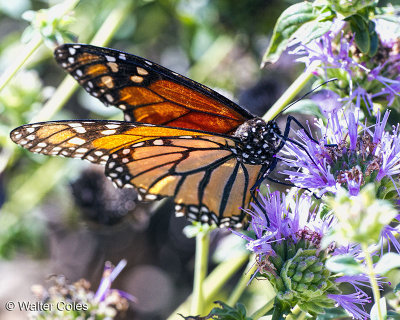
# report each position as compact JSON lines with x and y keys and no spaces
{"x":179,"y":139}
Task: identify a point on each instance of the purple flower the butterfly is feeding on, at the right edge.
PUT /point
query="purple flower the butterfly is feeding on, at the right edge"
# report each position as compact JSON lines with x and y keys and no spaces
{"x":347,"y":154}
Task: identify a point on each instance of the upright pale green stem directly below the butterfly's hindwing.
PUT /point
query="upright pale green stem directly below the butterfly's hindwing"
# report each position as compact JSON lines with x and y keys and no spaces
{"x":200,"y":271}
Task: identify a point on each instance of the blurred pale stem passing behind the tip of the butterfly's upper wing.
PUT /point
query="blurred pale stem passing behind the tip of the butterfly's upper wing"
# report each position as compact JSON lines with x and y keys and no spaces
{"x":69,"y":85}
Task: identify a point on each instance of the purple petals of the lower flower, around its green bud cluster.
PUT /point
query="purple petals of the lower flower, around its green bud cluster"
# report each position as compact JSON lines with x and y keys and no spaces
{"x":295,"y":220}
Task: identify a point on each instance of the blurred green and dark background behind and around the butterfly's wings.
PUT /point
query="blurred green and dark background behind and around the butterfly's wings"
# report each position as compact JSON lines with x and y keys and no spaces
{"x":62,"y":216}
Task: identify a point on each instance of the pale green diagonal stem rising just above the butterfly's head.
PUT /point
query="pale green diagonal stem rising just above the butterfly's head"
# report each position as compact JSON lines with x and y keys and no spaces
{"x":291,"y":92}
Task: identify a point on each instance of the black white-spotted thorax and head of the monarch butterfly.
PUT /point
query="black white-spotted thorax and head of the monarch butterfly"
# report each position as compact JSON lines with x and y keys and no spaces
{"x":259,"y":141}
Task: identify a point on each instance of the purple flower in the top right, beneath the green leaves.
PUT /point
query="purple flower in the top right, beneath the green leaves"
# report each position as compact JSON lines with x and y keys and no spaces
{"x":366,"y":79}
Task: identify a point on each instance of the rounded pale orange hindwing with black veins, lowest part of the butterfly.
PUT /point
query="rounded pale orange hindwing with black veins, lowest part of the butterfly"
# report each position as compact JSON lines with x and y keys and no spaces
{"x":201,"y":173}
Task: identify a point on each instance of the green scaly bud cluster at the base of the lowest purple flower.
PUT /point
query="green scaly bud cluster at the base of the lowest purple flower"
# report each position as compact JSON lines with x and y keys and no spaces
{"x":300,"y":278}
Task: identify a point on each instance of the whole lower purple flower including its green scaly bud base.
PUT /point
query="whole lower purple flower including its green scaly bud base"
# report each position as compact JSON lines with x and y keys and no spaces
{"x":288,"y":253}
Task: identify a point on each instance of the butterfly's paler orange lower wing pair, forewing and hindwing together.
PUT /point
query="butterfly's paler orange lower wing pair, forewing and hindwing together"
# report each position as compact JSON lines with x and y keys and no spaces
{"x":201,"y":171}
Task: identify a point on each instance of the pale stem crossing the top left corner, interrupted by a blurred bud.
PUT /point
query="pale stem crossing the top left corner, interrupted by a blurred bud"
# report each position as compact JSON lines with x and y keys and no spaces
{"x":30,"y":48}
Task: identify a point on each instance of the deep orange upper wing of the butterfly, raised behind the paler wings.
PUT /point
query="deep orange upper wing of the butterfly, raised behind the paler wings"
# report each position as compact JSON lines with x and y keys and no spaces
{"x":147,"y":92}
